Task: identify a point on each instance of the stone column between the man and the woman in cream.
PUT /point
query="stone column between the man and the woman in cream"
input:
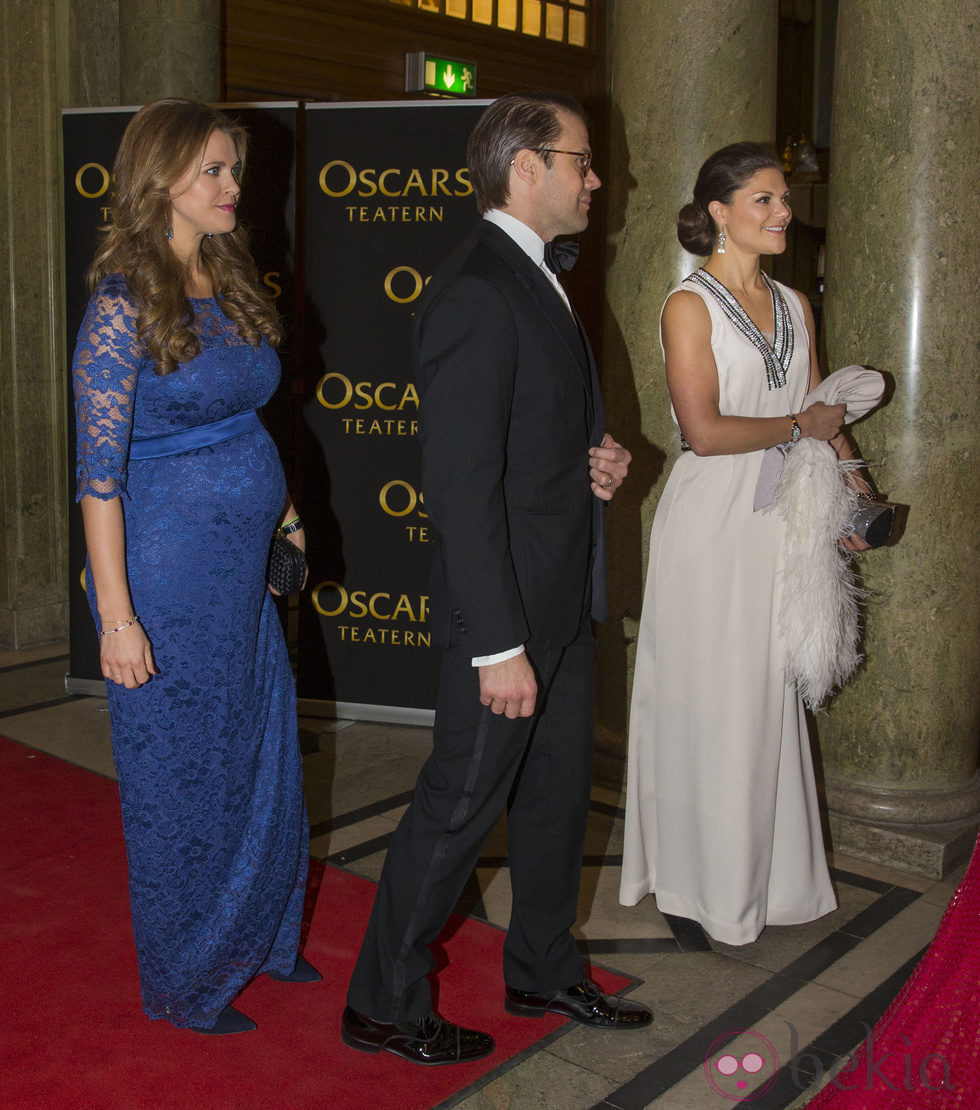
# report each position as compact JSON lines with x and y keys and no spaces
{"x":688,"y":78}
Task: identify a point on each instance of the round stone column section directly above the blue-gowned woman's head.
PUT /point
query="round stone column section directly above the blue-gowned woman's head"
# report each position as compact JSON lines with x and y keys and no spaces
{"x":170,"y":48}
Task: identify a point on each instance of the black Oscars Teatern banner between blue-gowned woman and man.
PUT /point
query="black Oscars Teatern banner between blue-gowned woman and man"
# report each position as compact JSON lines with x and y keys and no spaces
{"x":388,"y":197}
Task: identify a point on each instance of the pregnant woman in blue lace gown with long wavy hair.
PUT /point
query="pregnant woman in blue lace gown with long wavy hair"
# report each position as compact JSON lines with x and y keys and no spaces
{"x":181,"y":490}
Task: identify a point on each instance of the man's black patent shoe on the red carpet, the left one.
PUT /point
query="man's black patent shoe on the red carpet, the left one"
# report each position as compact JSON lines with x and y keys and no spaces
{"x":428,"y":1041}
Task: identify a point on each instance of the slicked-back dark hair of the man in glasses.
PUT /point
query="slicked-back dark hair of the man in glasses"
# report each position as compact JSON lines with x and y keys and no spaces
{"x":516,"y":122}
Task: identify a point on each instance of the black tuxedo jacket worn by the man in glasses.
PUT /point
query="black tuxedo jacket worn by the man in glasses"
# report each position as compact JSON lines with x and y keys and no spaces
{"x":510,"y":406}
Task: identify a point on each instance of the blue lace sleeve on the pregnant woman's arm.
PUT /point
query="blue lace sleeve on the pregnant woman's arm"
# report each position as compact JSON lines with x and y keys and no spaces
{"x":107,"y":362}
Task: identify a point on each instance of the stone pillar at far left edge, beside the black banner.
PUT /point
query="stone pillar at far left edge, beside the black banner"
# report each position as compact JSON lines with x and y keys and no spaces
{"x":34,"y":576}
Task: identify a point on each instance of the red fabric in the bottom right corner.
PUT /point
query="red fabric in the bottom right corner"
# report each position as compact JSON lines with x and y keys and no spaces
{"x":931,"y":1034}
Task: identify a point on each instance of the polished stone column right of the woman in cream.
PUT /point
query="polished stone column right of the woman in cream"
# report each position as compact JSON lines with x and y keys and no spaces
{"x":901,"y":743}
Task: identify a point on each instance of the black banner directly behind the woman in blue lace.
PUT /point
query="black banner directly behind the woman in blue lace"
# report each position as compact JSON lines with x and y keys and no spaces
{"x":268,"y":209}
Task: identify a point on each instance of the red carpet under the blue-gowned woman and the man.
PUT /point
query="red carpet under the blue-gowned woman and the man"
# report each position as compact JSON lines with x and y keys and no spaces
{"x":73,"y":1034}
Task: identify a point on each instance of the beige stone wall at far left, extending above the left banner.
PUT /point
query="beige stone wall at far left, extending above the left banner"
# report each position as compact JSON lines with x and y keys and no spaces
{"x":57,"y":55}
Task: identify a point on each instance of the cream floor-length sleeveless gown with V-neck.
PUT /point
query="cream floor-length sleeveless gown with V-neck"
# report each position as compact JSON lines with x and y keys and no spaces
{"x":722,"y":816}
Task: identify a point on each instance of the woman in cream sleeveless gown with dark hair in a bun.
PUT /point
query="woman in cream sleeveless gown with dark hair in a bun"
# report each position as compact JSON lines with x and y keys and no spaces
{"x":722,"y":816}
